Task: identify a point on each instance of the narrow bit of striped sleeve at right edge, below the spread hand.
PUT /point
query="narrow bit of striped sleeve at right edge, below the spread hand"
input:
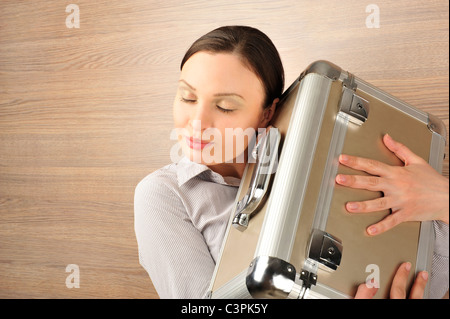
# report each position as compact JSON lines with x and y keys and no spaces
{"x":439,"y":268}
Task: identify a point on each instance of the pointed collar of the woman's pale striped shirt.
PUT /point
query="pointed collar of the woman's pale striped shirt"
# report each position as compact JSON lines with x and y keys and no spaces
{"x":187,"y":170}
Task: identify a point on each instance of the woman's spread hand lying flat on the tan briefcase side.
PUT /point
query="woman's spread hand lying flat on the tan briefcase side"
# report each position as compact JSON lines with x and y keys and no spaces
{"x":413,"y":192}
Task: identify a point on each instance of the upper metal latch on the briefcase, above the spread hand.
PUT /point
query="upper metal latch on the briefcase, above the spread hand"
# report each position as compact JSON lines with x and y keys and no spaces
{"x":354,"y":106}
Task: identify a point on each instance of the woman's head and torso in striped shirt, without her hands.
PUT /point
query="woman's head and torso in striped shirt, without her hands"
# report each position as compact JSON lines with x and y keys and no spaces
{"x":230,"y":82}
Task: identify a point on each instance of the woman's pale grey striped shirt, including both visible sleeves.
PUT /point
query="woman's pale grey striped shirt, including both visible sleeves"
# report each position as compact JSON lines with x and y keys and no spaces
{"x":181,"y":215}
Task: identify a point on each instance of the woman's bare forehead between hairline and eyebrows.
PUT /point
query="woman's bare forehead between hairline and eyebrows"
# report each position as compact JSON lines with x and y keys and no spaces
{"x":219,"y":73}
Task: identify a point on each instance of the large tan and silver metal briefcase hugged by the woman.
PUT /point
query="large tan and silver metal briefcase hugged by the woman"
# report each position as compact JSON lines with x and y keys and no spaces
{"x":289,"y":235}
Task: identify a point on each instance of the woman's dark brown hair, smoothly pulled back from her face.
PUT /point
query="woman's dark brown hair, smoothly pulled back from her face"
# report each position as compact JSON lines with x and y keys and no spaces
{"x":255,"y":49}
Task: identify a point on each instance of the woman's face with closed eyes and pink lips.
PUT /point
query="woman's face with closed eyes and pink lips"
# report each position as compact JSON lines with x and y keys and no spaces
{"x":218,"y":108}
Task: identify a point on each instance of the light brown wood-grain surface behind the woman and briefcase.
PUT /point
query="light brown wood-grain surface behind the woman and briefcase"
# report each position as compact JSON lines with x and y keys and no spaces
{"x":85,"y":113}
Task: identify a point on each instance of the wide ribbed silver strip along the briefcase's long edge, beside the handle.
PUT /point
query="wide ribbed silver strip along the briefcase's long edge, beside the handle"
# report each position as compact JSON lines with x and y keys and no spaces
{"x":279,"y":227}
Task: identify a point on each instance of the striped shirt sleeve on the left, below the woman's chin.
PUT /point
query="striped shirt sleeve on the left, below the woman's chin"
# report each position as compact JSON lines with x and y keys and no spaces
{"x":171,"y":249}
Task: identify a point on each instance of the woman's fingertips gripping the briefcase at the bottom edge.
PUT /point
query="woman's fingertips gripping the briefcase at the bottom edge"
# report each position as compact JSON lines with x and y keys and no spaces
{"x":398,"y":287}
